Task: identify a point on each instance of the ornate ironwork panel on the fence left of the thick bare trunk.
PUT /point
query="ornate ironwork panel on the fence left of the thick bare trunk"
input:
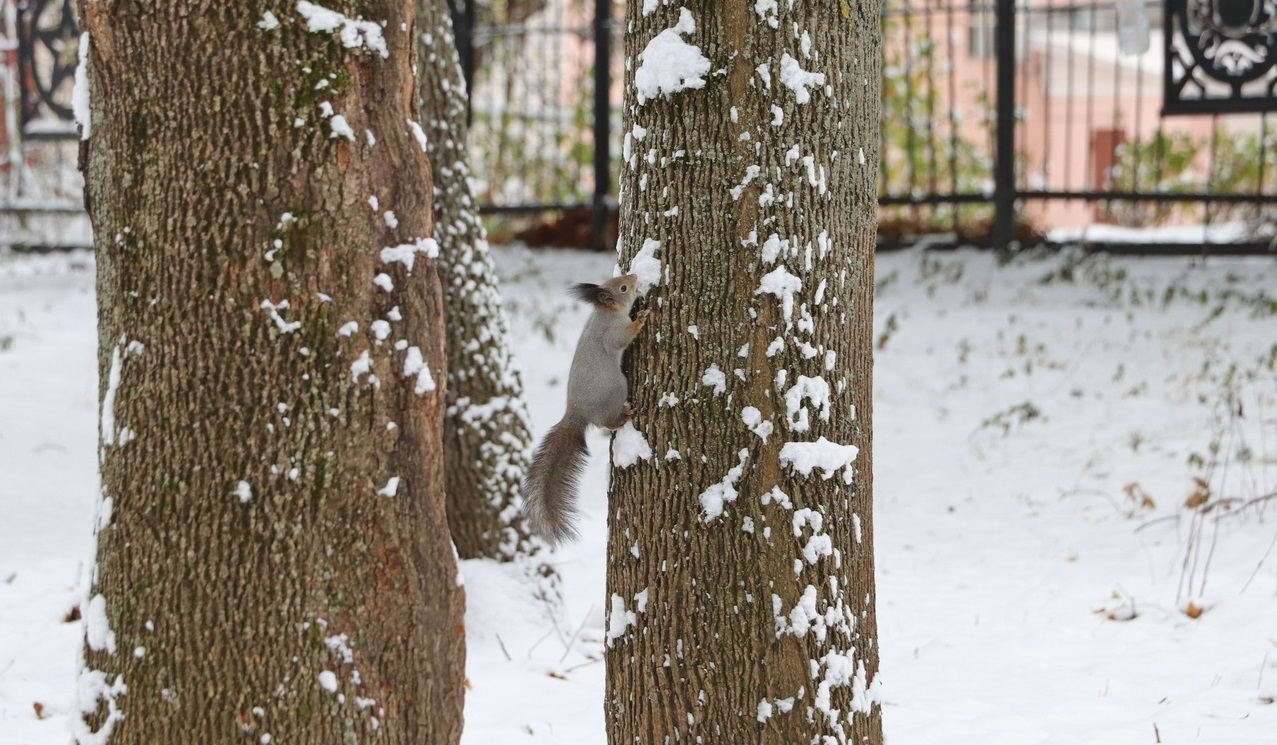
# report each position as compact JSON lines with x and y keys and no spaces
{"x":48,"y":54}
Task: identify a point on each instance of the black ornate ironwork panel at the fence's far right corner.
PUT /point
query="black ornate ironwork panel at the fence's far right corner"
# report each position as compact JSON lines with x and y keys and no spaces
{"x":1221,"y":57}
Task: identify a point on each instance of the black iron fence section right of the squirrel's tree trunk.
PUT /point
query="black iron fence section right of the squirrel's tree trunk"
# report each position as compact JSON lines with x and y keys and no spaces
{"x":1009,"y":119}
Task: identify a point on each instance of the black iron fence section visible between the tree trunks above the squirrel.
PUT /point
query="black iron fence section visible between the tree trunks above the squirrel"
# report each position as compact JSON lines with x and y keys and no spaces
{"x":543,"y":108}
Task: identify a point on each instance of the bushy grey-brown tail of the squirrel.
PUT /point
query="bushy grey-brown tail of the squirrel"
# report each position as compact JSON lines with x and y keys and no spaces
{"x":550,"y":490}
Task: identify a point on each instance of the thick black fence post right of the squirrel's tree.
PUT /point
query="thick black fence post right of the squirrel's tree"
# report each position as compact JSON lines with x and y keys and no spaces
{"x":1004,"y":159}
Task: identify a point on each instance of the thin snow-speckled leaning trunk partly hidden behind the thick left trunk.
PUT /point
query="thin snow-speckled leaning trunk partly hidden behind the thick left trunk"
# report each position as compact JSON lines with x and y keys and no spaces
{"x":487,"y":434}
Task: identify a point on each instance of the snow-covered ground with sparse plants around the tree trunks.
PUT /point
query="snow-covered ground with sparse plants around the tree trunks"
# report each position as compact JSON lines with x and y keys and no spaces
{"x":1039,"y":431}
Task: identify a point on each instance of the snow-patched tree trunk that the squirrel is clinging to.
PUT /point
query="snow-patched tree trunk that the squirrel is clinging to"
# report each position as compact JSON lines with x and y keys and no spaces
{"x":740,"y":553}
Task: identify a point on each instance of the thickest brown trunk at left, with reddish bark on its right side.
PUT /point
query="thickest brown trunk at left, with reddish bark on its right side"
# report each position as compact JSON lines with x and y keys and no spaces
{"x":274,"y":560}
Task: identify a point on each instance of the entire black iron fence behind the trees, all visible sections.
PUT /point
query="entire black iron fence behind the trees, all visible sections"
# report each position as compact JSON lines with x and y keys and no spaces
{"x":1003,"y":119}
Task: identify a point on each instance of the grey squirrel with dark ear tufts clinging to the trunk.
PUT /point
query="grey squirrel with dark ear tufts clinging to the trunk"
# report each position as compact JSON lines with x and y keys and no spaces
{"x":596,"y":396}
